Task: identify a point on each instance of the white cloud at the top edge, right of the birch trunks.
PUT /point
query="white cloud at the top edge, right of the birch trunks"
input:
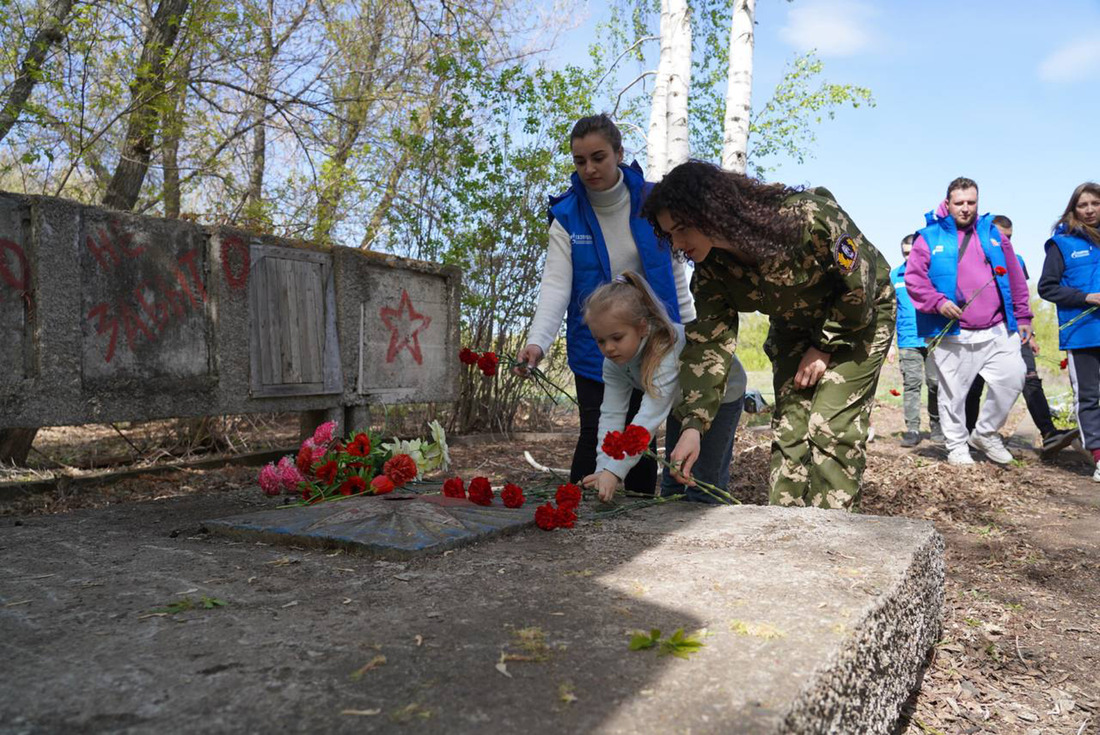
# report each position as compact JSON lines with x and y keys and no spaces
{"x":835,"y":28}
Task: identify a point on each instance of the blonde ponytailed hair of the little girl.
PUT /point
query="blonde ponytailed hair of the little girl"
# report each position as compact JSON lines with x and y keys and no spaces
{"x":630,"y":297}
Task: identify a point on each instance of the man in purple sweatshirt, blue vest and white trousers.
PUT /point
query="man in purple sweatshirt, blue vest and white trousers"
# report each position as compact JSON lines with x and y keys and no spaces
{"x":961,"y":268}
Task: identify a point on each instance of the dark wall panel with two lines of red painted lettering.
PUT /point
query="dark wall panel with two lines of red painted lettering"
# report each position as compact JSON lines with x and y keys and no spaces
{"x":145,"y":300}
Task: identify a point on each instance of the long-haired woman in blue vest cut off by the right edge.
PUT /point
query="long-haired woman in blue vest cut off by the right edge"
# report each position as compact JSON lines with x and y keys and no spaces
{"x":1072,"y":281}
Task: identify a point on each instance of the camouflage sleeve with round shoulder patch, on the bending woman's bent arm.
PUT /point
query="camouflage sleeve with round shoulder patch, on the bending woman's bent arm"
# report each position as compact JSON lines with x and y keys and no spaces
{"x":853,"y":264}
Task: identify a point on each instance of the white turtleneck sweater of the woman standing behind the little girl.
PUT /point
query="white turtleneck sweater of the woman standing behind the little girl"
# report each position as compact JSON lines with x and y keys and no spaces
{"x":613,"y":213}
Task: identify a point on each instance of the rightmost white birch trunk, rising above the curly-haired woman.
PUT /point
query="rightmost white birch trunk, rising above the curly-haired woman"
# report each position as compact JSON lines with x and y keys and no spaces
{"x":735,"y":138}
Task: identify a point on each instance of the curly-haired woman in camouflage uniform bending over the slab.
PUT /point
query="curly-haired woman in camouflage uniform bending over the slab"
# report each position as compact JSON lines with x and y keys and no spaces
{"x":799,"y":258}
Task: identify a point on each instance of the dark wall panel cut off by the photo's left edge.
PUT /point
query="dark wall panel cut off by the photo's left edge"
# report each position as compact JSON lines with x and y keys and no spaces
{"x":16,"y":293}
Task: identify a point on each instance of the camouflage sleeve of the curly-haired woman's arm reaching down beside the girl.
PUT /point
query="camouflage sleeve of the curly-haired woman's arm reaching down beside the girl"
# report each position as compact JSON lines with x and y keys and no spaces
{"x":705,"y":364}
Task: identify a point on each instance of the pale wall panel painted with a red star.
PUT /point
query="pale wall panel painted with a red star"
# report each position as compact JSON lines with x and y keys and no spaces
{"x":403,"y":336}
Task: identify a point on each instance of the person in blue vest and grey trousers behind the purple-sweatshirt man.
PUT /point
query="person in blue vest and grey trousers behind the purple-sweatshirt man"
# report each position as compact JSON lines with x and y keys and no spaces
{"x":916,"y":368}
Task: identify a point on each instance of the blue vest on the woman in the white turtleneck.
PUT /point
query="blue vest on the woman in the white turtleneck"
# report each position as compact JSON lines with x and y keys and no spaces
{"x":592,"y":266}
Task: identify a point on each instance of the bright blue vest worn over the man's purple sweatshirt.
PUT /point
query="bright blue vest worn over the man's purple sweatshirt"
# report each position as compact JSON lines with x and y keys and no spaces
{"x":942,"y":237}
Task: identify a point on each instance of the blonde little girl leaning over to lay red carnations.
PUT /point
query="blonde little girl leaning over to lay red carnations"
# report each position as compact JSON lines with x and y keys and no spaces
{"x":642,"y":352}
